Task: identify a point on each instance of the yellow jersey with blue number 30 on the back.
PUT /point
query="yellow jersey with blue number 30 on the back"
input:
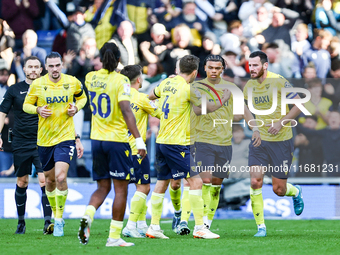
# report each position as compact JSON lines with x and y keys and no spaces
{"x":106,"y":90}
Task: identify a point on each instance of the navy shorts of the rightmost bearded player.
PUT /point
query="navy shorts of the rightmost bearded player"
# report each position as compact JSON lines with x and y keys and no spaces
{"x":276,"y":156}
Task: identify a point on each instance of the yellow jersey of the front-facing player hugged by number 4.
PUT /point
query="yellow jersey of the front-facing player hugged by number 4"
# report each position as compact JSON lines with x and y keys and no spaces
{"x":205,"y":130}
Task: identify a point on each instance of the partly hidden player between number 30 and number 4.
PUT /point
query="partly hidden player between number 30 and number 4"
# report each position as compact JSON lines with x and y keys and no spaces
{"x":141,"y":106}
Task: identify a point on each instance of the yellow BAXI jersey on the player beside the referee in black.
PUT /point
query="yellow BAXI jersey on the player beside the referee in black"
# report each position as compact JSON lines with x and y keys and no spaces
{"x":59,"y":126}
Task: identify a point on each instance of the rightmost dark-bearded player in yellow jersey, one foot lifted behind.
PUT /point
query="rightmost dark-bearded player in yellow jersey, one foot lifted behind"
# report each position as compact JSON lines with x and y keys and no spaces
{"x":276,"y":150}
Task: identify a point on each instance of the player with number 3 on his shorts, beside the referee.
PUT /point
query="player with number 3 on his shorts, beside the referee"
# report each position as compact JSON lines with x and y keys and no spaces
{"x":52,"y":96}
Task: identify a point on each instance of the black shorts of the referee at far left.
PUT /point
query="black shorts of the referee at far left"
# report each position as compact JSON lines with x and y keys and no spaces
{"x":23,"y":160}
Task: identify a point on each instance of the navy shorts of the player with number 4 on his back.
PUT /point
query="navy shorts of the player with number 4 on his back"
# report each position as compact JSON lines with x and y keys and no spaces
{"x":174,"y":162}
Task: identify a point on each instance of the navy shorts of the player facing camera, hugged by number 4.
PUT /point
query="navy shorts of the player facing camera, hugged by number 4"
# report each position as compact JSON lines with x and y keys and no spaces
{"x":214,"y":157}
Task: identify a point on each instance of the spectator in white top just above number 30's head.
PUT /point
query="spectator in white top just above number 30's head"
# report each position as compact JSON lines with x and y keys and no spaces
{"x":127,"y":44}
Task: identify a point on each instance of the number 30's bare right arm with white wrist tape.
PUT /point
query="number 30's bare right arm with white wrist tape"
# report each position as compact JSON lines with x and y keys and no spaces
{"x":130,"y":120}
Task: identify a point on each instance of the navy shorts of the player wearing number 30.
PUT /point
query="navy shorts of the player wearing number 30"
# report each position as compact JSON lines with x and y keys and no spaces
{"x":111,"y":160}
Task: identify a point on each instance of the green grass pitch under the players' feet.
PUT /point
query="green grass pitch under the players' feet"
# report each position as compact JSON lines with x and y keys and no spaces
{"x":284,"y":237}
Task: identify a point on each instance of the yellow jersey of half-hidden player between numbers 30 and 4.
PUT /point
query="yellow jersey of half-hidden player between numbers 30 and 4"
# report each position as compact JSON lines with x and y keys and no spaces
{"x":141,"y":106}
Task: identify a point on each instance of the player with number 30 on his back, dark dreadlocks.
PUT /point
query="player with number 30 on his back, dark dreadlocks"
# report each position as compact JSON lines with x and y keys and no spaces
{"x":110,"y":94}
